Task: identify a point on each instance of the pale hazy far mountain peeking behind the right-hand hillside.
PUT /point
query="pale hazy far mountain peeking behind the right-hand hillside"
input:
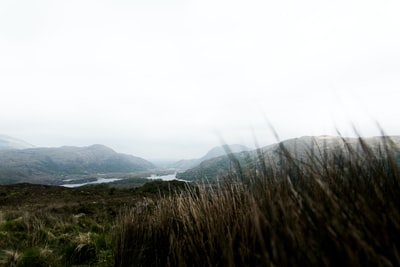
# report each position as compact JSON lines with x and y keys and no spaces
{"x":213,"y":153}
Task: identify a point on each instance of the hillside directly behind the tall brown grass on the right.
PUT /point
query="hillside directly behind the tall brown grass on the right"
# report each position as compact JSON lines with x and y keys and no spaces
{"x":301,"y":149}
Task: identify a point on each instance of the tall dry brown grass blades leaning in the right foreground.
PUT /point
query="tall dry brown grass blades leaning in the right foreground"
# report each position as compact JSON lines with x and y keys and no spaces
{"x":332,"y":208}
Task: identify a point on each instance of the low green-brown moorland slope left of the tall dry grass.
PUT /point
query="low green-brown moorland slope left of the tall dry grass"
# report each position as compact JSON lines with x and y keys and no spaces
{"x":57,"y":226}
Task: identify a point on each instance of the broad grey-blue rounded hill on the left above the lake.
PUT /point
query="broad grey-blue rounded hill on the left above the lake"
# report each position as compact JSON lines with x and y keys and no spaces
{"x":38,"y":164}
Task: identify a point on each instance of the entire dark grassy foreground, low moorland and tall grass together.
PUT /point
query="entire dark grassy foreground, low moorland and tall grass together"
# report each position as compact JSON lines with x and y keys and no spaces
{"x":334,"y":209}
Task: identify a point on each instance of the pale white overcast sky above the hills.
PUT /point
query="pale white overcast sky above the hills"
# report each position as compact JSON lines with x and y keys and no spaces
{"x":170,"y":79}
